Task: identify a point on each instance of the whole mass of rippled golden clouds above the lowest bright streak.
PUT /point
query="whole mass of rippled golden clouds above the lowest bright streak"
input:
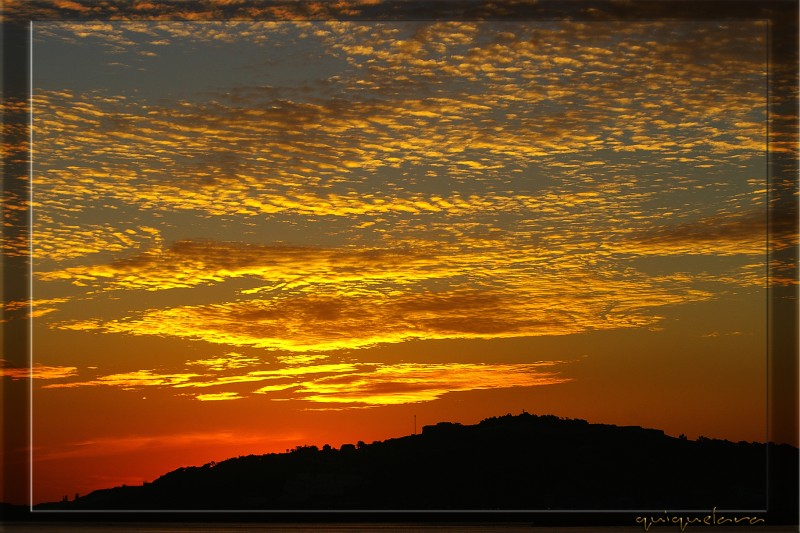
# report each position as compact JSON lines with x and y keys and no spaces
{"x":469,"y":180}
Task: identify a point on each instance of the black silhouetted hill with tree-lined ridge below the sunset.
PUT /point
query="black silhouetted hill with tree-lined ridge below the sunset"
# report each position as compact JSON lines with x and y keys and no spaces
{"x":523,"y":462}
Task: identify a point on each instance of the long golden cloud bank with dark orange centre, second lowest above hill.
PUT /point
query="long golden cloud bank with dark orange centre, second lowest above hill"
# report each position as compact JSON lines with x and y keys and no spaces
{"x":333,"y":321}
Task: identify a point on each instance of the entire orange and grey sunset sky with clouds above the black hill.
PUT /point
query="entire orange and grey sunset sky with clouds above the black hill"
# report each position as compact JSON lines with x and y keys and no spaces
{"x":249,"y":236}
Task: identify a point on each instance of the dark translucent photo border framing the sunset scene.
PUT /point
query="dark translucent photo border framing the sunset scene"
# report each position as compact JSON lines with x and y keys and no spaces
{"x":782,"y":98}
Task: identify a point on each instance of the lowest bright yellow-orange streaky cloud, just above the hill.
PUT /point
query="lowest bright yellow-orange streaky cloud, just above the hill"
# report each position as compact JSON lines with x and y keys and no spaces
{"x":358,"y":384}
